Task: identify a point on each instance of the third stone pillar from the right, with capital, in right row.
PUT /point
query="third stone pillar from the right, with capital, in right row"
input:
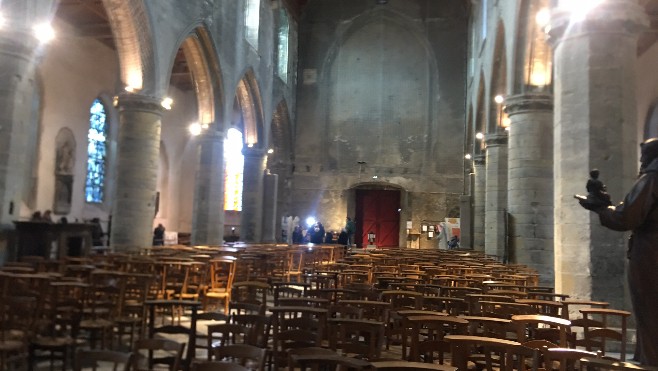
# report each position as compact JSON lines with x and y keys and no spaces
{"x":495,"y":205}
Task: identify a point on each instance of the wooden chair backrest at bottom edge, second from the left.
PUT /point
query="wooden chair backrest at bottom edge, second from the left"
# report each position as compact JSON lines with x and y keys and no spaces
{"x":170,"y":354}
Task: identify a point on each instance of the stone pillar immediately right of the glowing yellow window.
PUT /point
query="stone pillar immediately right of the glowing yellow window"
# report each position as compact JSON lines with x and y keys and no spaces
{"x":251,"y":223}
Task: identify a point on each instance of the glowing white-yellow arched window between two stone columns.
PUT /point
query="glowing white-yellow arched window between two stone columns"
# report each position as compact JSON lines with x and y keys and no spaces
{"x":233,"y":170}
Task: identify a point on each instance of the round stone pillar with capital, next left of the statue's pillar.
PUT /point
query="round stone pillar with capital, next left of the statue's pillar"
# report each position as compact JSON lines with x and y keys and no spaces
{"x":530,"y":182}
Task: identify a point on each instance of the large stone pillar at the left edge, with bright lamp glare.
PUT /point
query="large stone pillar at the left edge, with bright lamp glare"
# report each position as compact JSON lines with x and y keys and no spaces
{"x":20,"y":53}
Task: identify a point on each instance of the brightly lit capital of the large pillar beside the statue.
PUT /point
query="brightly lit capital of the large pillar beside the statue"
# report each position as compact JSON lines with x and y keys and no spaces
{"x":611,"y":16}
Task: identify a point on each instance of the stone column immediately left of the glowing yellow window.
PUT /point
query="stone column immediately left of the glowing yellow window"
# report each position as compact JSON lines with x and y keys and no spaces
{"x":208,"y":212}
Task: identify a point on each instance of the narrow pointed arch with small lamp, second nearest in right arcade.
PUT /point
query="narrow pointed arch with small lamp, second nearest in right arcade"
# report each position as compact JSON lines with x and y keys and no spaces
{"x":498,"y":81}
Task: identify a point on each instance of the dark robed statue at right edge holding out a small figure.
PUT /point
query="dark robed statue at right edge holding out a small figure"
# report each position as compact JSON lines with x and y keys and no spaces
{"x":639,"y":214}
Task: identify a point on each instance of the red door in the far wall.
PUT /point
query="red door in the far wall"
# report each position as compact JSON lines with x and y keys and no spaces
{"x":377,"y":212}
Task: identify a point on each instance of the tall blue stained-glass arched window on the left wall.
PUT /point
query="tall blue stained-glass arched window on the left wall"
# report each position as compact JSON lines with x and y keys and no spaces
{"x":96,"y":153}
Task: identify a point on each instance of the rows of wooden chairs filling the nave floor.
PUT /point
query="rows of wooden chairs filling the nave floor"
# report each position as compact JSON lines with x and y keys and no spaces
{"x":302,"y":306}
